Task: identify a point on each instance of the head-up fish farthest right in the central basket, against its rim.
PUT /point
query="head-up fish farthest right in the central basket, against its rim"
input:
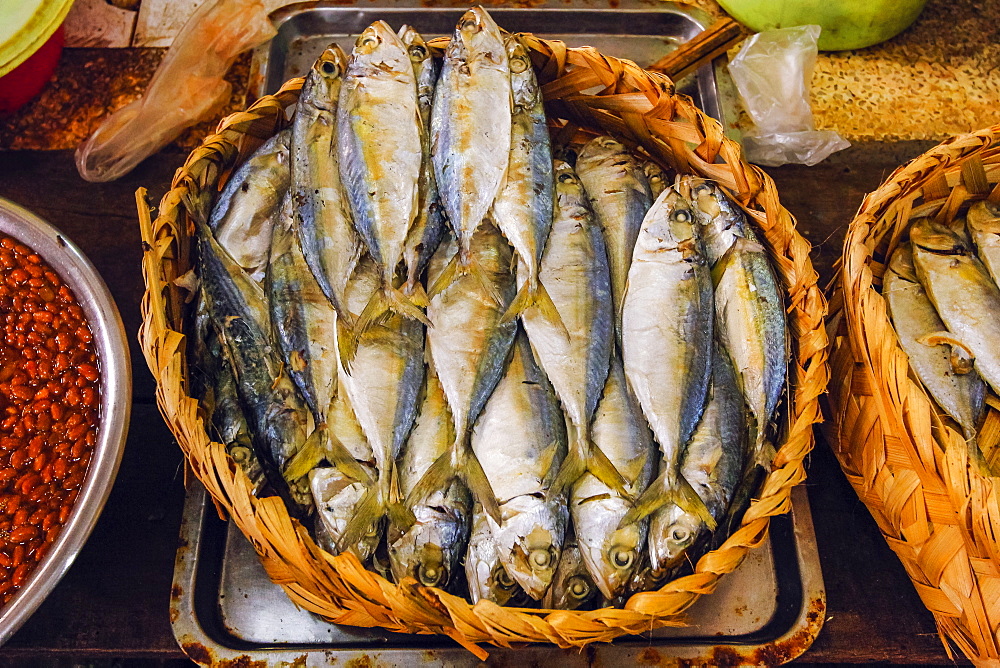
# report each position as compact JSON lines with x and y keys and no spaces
{"x":750,"y":317}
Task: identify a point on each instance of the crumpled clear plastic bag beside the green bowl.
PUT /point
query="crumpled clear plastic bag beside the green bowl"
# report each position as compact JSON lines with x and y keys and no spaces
{"x":772,"y":72}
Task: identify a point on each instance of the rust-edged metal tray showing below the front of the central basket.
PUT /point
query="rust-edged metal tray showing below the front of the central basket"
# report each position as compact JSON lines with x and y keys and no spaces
{"x":224,"y":608}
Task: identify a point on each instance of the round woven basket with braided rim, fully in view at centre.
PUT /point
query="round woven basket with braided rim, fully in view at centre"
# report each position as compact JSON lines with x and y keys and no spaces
{"x":638,"y":107}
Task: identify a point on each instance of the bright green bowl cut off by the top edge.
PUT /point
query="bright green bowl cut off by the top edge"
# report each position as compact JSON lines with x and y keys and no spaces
{"x":847,"y":24}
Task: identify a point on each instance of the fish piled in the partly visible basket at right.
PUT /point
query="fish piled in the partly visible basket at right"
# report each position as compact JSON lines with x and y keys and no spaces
{"x":941,"y":288}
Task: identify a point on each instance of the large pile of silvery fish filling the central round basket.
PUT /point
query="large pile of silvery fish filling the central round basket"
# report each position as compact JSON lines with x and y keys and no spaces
{"x":450,"y":346}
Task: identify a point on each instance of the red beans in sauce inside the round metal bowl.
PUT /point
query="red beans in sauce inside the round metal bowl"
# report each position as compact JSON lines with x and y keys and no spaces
{"x":49,"y":409}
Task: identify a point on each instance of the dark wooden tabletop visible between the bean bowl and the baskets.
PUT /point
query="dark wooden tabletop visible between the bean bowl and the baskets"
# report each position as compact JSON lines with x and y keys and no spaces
{"x":113,"y":602}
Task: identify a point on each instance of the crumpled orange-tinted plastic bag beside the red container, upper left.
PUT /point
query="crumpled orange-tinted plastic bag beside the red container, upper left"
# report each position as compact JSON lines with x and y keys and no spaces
{"x":187,"y":87}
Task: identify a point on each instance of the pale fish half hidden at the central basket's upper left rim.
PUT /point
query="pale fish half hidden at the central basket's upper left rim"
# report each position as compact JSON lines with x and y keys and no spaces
{"x":245,"y":211}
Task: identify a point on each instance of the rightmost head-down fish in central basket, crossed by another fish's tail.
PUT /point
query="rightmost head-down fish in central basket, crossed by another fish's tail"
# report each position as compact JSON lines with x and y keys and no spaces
{"x":713,"y":463}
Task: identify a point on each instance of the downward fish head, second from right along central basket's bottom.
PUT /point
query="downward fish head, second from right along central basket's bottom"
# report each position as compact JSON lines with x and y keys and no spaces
{"x":610,"y":553}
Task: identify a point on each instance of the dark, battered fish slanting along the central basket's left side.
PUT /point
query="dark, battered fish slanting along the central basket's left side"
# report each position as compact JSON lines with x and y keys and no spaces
{"x":280,"y":422}
